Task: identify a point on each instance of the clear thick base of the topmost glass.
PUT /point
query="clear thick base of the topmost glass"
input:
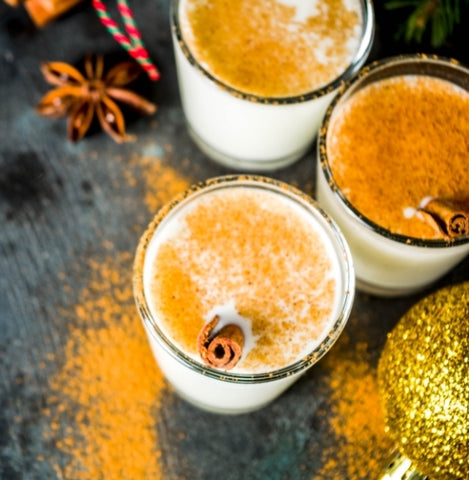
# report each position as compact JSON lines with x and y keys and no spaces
{"x":243,"y":164}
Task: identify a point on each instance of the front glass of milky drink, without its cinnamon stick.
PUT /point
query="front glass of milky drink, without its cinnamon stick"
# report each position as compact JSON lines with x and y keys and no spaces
{"x":260,"y":257}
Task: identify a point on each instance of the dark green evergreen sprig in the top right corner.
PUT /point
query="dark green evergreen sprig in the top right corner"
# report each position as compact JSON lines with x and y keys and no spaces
{"x":440,"y":17}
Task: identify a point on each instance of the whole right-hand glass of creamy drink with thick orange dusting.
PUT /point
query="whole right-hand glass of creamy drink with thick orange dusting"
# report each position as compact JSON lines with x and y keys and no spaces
{"x":393,"y":171}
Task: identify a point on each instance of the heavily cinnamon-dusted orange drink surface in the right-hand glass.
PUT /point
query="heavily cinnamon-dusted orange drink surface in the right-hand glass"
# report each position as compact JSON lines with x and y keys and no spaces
{"x":399,"y":141}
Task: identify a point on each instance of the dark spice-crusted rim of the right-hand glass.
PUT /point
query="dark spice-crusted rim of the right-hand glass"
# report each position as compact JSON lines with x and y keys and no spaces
{"x":347,"y":88}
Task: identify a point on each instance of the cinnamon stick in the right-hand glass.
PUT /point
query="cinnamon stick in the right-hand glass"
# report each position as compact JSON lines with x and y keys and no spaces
{"x":450,"y":218}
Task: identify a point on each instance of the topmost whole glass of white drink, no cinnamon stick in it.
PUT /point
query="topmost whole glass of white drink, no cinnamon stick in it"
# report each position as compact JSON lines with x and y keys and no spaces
{"x":256,"y":76}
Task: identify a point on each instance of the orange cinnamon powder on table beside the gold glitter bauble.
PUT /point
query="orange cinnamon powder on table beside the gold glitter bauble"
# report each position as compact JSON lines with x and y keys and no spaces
{"x":360,"y":446}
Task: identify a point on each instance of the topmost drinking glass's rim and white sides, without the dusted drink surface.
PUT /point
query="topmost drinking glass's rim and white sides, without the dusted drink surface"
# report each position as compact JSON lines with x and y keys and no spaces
{"x":247,"y":131}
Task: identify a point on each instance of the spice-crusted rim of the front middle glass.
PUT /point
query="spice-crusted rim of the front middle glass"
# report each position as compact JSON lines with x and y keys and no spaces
{"x":343,"y":307}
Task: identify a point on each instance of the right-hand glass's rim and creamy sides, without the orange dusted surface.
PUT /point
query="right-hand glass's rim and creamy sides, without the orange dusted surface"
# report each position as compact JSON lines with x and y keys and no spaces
{"x":387,"y":263}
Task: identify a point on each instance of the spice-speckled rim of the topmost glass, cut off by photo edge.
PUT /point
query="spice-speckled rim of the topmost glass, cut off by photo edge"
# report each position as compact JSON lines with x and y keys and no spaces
{"x":366,"y":43}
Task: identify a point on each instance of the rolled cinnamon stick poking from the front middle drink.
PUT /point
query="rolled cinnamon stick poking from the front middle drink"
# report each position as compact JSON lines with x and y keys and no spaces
{"x":222,"y":348}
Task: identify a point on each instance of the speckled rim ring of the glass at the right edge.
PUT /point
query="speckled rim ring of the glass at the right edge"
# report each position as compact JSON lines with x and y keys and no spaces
{"x":380,"y":70}
